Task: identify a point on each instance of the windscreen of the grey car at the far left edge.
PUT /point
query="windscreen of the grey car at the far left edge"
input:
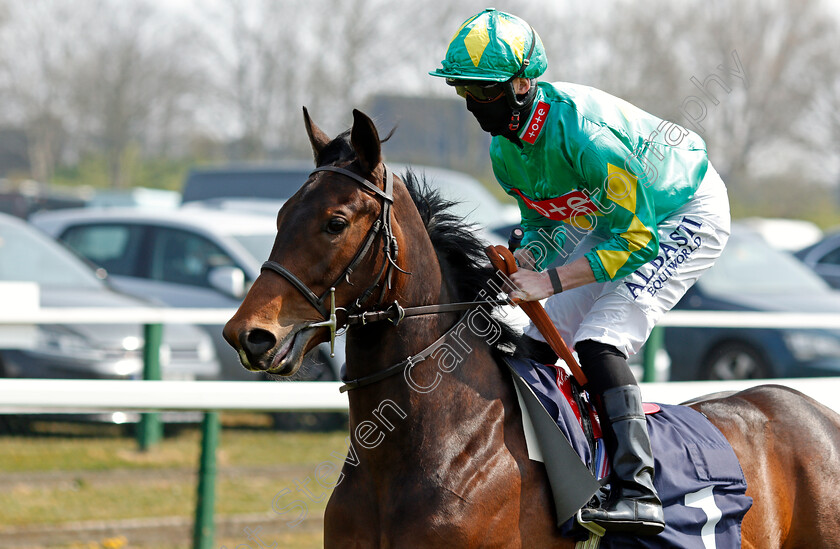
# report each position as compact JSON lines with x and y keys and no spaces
{"x":27,"y":255}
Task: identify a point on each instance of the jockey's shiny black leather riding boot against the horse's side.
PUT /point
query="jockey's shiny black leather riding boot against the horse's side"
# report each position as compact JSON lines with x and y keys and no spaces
{"x":633,"y":505}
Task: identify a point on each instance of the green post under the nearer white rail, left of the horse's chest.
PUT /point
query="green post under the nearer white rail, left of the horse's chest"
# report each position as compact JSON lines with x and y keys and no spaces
{"x":204,"y":527}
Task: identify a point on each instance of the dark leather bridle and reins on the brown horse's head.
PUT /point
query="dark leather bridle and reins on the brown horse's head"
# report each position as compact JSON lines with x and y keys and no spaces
{"x":395,"y":313}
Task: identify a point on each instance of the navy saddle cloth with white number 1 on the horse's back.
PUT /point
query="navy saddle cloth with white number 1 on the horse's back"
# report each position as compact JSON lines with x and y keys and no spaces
{"x":698,"y":476}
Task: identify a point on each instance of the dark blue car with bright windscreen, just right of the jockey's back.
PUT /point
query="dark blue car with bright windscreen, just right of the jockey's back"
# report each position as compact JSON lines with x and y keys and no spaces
{"x":751,"y":275}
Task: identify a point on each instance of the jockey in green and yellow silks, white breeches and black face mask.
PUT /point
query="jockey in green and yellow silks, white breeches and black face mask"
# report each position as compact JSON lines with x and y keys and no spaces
{"x":637,"y":198}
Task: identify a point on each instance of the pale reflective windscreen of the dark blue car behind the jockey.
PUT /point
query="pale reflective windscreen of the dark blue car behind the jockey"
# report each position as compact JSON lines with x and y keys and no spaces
{"x":748,"y":265}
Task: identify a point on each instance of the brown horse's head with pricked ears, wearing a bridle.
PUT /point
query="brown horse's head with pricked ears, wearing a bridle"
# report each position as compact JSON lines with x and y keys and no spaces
{"x":342,"y":230}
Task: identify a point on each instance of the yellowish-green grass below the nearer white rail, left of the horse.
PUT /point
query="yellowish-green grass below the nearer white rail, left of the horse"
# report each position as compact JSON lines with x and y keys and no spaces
{"x":88,"y":450}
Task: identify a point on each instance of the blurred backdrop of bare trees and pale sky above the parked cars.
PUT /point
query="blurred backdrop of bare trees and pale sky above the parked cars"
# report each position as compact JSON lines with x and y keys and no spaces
{"x":101,"y":94}
